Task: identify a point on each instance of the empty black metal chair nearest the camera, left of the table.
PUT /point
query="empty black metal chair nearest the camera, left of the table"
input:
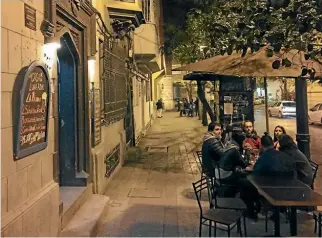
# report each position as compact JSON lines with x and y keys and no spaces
{"x":211,"y":217}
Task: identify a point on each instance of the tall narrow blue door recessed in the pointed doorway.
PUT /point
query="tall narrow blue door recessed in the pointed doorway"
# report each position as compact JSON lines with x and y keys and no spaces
{"x":71,"y":153}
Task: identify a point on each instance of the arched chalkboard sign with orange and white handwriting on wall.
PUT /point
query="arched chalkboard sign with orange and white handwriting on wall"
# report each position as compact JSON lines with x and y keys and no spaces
{"x":32,"y":115}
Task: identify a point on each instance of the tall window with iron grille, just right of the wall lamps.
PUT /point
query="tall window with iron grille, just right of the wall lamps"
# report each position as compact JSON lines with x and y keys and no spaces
{"x":113,"y":79}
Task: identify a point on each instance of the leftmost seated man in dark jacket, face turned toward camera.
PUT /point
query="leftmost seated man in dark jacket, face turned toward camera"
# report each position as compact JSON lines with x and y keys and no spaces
{"x":227,"y":157}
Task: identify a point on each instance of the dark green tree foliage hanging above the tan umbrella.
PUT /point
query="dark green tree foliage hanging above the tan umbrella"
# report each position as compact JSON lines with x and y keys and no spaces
{"x":249,"y":25}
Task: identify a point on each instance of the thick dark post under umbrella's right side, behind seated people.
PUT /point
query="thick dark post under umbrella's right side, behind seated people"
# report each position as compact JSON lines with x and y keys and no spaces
{"x":302,"y":125}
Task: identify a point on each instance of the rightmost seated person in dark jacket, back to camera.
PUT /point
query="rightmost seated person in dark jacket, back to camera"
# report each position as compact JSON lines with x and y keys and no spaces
{"x":300,"y":162}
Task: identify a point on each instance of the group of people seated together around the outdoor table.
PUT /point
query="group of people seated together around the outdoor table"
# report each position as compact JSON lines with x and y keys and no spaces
{"x":226,"y":154}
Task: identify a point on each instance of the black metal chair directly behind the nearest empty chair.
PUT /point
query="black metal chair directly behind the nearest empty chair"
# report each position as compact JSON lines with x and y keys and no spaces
{"x":225,"y":203}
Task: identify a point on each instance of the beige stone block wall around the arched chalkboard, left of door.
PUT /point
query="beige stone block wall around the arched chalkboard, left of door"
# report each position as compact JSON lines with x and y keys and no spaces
{"x":29,"y":196}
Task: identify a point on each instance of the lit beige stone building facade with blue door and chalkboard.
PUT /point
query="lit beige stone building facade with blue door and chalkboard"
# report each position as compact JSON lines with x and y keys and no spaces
{"x":92,"y":101}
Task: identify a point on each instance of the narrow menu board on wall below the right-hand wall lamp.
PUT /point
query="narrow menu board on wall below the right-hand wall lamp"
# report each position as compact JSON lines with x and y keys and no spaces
{"x":96,"y":121}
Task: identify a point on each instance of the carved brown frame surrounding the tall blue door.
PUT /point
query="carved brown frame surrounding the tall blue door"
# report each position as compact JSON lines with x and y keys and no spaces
{"x":78,"y":19}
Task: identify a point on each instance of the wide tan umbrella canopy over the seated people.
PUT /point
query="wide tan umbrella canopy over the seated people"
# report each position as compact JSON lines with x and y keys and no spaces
{"x":254,"y":65}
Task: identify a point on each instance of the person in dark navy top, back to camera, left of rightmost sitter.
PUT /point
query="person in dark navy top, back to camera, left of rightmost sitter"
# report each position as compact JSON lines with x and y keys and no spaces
{"x":273,"y":162}
